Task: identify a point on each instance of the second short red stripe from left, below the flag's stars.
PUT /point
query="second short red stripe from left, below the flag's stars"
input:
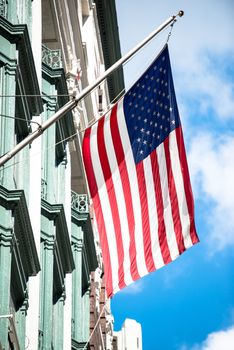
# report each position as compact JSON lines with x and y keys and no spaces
{"x":159,"y":203}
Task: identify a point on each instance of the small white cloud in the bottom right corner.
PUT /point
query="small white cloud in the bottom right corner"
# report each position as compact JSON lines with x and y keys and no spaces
{"x":221,"y":340}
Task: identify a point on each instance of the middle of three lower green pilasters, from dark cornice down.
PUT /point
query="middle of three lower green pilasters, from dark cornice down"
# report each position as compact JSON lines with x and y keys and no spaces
{"x":57,"y":260}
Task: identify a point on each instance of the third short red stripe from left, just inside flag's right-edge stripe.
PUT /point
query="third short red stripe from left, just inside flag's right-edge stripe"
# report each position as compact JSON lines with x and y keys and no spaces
{"x":174,"y":199}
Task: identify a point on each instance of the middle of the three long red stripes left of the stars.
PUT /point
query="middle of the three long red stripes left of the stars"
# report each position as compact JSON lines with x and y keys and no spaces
{"x":112,"y":199}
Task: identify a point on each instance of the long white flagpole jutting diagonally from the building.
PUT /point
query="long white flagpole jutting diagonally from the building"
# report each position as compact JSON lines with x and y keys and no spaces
{"x":73,"y":103}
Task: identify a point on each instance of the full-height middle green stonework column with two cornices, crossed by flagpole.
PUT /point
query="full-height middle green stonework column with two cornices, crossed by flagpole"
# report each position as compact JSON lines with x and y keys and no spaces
{"x":56,"y":253}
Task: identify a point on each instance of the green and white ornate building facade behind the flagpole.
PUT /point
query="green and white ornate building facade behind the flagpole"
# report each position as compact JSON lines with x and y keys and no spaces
{"x":51,"y":275}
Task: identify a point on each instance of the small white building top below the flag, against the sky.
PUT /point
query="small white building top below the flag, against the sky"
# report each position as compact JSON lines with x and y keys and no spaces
{"x":130,"y":336}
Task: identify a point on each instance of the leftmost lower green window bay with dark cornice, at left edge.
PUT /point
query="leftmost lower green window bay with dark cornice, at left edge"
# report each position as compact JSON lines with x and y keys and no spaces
{"x":18,"y":260}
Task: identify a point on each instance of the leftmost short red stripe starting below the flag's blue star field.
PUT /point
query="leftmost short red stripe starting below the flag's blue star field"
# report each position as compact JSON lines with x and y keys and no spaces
{"x":145,"y":217}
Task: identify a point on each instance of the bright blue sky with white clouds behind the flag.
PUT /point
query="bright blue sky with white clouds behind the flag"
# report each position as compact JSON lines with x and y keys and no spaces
{"x":189,"y":304}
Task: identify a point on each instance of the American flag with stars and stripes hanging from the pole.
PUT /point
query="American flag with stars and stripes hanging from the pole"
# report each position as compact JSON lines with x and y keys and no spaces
{"x":138,"y":178}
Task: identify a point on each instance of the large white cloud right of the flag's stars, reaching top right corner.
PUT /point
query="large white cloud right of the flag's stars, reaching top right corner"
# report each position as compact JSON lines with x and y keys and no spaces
{"x":197,"y":43}
